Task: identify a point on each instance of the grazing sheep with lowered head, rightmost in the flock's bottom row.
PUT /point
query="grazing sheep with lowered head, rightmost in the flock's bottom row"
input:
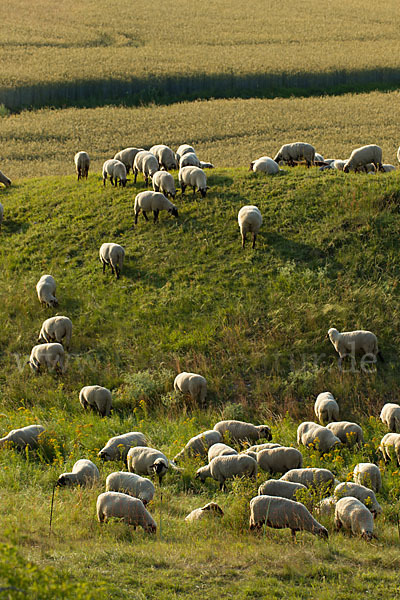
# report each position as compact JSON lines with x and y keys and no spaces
{"x":351,"y":514}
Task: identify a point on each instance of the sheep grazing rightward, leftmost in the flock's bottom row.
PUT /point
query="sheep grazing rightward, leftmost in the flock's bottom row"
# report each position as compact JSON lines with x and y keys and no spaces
{"x":121,"y":506}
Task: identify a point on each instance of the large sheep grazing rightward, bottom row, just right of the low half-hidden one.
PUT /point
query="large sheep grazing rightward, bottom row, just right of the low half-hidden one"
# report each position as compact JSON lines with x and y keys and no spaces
{"x":281,"y":513}
